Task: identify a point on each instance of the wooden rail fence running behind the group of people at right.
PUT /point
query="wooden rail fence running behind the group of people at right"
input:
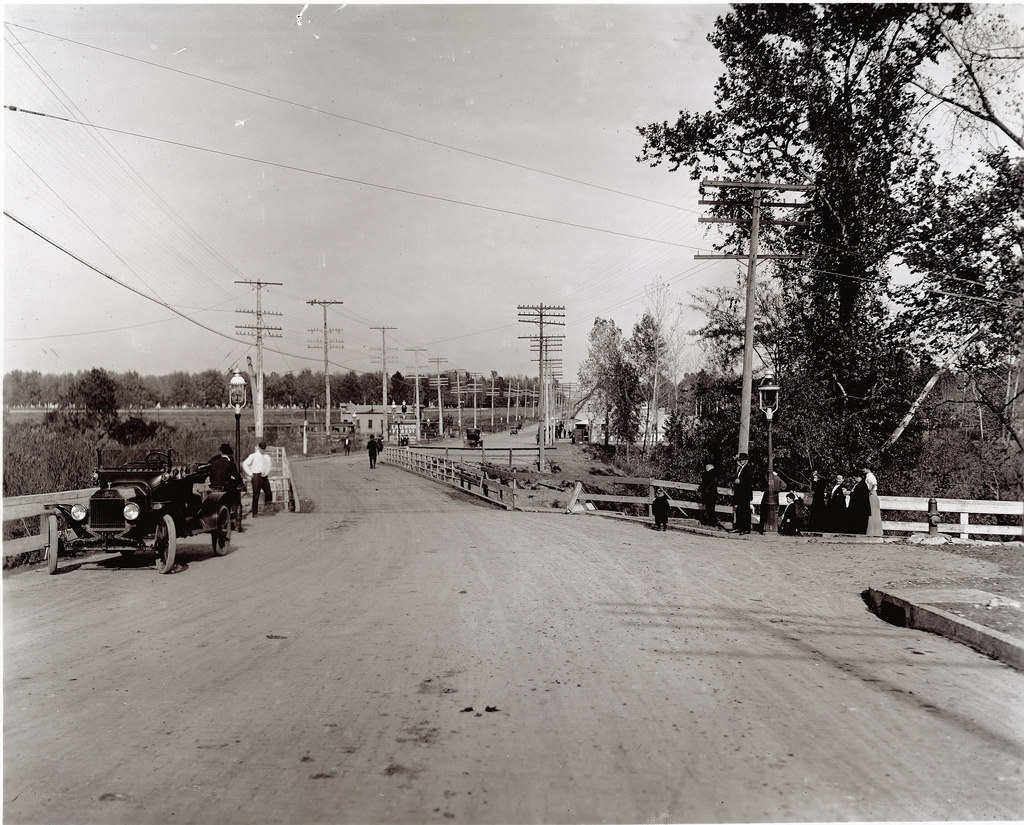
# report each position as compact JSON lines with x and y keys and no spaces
{"x":934,"y":509}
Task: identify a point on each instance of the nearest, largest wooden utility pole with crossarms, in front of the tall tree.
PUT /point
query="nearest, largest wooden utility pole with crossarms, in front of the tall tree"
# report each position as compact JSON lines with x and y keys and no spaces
{"x":757,"y":189}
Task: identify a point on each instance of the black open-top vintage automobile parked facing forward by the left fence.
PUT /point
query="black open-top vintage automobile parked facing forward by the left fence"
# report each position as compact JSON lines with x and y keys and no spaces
{"x":144,"y":505}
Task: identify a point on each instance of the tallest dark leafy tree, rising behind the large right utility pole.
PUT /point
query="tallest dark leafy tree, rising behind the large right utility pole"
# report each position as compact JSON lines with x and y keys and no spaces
{"x":820,"y":95}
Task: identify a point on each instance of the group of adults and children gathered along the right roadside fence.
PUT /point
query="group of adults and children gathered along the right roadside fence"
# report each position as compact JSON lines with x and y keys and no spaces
{"x":849,"y":505}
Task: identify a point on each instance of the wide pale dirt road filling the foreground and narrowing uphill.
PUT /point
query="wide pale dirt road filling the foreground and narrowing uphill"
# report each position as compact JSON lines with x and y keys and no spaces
{"x":406,"y":655}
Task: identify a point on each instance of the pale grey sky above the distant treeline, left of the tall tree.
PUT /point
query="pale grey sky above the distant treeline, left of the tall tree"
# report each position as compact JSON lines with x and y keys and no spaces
{"x":433,"y":167}
